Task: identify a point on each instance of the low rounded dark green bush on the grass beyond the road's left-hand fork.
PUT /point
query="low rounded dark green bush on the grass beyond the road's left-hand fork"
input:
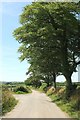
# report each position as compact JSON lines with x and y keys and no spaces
{"x":22,"y":90}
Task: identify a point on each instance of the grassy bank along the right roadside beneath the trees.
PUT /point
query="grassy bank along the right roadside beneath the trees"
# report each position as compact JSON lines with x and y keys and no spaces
{"x":71,"y":106}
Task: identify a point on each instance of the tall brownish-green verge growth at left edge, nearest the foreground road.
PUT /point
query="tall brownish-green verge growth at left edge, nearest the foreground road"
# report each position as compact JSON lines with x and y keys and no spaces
{"x":8,"y":101}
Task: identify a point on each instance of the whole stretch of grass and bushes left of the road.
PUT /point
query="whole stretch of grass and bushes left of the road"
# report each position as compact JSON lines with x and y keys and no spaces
{"x":8,"y":90}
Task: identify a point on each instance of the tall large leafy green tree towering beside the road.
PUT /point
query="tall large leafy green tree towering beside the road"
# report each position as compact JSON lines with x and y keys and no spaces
{"x":51,"y":31}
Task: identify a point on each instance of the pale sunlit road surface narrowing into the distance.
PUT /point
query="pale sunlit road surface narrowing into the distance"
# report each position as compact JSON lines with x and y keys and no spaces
{"x":35,"y":105}
